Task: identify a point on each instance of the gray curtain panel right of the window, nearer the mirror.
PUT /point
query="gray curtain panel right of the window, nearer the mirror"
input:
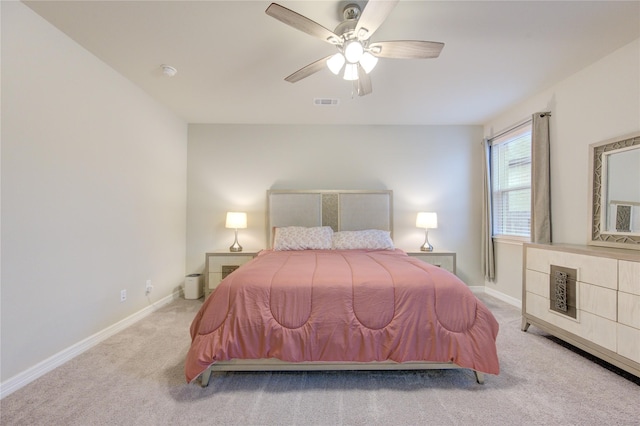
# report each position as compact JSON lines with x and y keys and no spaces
{"x":540,"y":179}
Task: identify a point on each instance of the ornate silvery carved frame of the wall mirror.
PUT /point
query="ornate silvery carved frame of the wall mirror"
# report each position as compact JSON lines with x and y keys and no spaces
{"x":597,"y":232}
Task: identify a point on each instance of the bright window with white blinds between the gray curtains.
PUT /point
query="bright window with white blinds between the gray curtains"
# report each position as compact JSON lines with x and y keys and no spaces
{"x":511,"y":182}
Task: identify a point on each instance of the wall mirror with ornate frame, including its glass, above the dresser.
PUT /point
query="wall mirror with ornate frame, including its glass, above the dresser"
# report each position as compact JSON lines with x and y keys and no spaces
{"x":615,"y":192}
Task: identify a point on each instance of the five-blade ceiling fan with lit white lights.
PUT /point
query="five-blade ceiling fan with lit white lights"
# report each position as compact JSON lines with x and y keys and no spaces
{"x":357,"y":54}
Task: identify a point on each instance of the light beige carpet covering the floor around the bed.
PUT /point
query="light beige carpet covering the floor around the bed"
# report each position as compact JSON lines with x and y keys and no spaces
{"x":136,"y":378}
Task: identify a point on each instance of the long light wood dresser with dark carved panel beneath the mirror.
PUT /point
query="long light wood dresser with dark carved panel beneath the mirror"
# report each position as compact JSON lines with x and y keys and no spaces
{"x":587,"y":296}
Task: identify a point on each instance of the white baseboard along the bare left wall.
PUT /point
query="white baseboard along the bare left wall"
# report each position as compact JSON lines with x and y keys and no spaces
{"x":22,"y":379}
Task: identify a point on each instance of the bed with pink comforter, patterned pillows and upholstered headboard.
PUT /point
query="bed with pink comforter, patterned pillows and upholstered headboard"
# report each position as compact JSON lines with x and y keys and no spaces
{"x":333,"y":293}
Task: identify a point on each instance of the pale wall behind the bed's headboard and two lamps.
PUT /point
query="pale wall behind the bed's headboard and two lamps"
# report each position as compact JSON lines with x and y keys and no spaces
{"x":433,"y":168}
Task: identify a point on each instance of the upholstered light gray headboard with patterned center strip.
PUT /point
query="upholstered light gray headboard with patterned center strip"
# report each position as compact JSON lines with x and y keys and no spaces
{"x":348,"y":210}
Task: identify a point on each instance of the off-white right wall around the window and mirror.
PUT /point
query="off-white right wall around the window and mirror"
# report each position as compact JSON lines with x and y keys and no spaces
{"x":600,"y":102}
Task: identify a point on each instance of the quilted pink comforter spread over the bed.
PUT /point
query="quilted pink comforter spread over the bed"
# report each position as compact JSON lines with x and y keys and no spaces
{"x":342,"y":305}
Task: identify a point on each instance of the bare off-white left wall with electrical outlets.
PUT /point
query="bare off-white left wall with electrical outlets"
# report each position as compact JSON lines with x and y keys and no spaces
{"x":93,"y":193}
